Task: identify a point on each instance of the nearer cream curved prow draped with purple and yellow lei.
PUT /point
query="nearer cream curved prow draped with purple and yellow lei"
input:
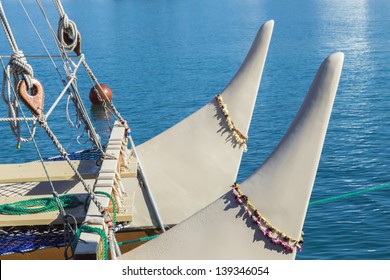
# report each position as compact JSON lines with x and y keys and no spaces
{"x":279,"y":190}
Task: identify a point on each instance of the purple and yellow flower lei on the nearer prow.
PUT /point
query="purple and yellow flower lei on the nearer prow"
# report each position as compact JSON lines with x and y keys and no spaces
{"x":274,"y":235}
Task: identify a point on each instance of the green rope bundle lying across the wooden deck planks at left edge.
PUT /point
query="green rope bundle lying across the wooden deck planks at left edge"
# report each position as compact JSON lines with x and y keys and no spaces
{"x":39,"y":205}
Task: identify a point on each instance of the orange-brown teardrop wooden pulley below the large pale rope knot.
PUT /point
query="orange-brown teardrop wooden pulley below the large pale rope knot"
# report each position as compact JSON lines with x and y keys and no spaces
{"x":33,"y":98}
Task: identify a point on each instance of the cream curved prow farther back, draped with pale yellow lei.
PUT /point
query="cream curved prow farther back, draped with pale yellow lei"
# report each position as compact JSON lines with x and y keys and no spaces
{"x":192,"y":162}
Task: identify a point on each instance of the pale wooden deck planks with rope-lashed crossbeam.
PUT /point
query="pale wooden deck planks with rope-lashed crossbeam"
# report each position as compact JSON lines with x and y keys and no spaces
{"x":116,"y":176}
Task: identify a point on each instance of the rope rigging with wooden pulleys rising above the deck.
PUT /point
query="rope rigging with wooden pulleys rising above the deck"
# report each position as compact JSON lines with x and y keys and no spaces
{"x":20,"y":86}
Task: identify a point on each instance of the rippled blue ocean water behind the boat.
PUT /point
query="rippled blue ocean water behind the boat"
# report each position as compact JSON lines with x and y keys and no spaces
{"x":164,"y":59}
